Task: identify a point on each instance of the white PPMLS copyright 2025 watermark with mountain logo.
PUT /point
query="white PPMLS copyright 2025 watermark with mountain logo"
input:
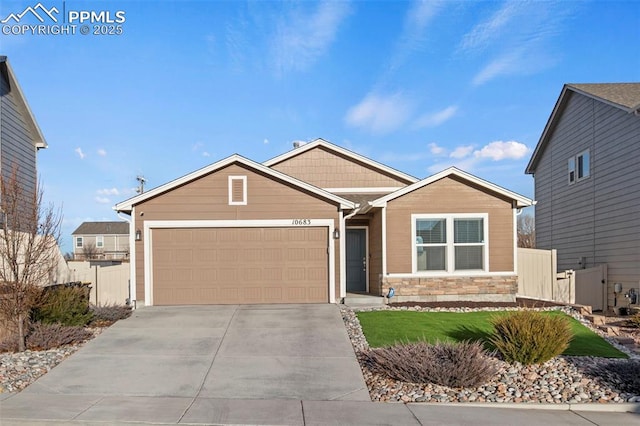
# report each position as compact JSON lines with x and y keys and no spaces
{"x":42,"y":20}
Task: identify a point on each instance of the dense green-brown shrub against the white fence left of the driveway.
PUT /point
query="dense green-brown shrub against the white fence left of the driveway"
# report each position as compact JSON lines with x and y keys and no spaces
{"x":64,"y":305}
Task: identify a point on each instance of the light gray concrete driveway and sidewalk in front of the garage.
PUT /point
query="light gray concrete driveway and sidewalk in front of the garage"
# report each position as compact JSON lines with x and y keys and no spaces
{"x":278,"y":365}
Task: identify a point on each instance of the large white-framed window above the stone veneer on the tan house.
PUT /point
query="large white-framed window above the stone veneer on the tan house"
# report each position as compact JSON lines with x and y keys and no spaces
{"x":450,"y":243}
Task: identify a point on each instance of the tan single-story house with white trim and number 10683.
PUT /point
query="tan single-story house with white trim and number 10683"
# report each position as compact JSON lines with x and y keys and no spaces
{"x":315,"y":223}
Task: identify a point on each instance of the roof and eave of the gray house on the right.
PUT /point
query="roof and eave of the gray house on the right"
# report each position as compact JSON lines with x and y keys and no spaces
{"x":624,"y":96}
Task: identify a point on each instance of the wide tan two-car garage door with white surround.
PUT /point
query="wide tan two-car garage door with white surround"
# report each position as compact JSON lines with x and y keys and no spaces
{"x":239,"y":265}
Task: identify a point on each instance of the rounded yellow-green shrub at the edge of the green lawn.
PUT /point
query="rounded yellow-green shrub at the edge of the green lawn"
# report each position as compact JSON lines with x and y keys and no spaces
{"x":530,"y":337}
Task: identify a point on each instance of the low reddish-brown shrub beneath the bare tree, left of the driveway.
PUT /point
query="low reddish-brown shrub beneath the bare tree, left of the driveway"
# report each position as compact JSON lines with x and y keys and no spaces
{"x":43,"y":337}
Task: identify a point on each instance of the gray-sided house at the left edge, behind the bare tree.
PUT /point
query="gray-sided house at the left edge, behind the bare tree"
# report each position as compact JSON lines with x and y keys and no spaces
{"x":20,"y":135}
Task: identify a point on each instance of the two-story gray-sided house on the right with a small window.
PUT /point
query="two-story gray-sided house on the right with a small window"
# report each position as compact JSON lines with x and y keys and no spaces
{"x":587,"y":182}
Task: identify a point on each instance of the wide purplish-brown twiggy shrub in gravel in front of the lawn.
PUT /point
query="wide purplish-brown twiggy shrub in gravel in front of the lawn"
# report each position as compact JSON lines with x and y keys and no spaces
{"x":465,"y":364}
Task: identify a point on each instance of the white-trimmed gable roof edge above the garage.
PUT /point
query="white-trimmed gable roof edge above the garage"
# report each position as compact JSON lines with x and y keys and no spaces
{"x":127,"y":205}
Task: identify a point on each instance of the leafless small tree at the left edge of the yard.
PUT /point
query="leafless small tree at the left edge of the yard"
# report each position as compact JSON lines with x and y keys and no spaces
{"x":29,"y":236}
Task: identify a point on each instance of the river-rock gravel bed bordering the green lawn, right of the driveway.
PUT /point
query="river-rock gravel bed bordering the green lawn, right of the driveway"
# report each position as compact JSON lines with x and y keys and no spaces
{"x":563,"y":379}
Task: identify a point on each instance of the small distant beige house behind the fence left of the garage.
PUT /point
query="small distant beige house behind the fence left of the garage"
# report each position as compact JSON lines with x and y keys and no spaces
{"x":101,"y":240}
